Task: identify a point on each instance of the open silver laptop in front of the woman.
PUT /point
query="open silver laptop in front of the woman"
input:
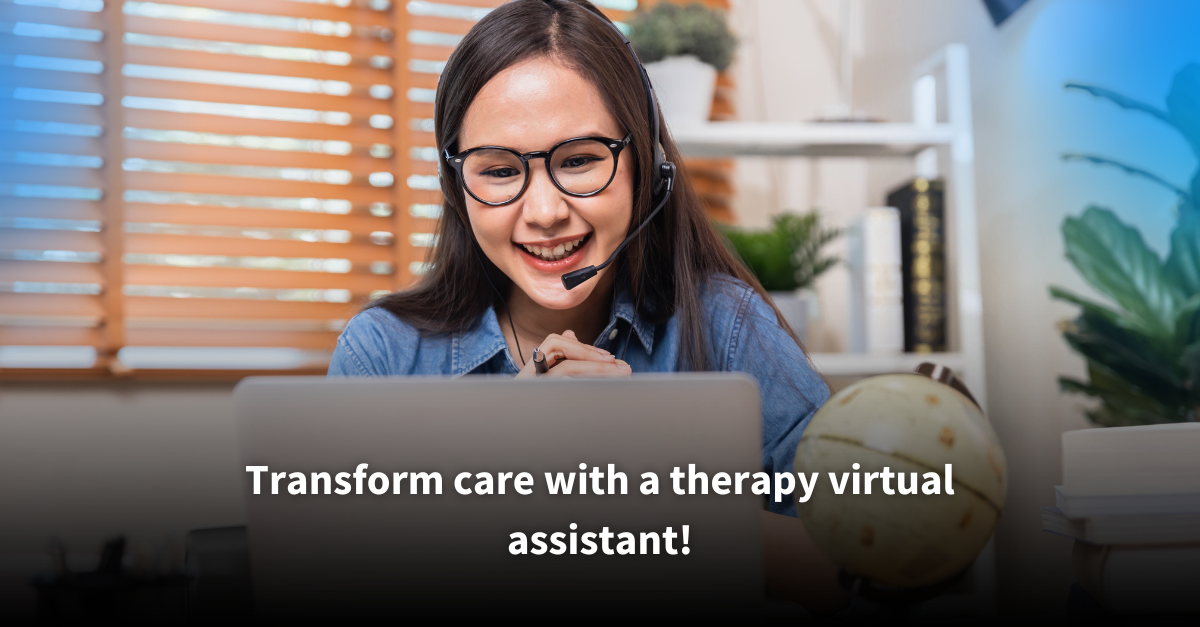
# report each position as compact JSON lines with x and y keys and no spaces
{"x":395,"y":556}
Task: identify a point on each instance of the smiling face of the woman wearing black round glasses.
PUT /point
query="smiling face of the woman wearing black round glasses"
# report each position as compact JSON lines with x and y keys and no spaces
{"x":532,"y":108}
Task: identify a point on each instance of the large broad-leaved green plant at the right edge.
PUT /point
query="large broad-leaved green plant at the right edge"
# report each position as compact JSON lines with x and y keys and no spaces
{"x":1144,"y":354}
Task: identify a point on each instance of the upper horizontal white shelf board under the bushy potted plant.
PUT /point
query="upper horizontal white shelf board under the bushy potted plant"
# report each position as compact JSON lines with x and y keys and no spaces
{"x":866,"y":140}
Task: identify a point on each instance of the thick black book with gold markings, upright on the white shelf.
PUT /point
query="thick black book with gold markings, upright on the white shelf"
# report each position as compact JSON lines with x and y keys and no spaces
{"x":922,"y":205}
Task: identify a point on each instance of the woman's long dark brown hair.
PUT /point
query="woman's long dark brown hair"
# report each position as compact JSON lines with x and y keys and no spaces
{"x":668,"y":262}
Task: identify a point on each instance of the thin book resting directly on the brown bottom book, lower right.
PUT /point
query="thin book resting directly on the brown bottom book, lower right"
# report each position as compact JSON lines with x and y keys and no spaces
{"x":1125,"y":529}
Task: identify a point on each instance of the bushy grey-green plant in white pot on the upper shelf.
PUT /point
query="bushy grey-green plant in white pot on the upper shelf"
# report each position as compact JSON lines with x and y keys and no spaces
{"x":683,"y":47}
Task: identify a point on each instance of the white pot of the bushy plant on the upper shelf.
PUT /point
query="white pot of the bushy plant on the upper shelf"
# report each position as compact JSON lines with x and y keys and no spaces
{"x":685,"y":87}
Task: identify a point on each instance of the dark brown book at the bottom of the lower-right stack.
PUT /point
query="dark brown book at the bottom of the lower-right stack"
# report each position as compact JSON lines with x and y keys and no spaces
{"x":1130,"y":580}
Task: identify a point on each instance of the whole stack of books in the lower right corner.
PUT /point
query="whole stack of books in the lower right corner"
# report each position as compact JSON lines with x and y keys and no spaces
{"x":1131,"y":498}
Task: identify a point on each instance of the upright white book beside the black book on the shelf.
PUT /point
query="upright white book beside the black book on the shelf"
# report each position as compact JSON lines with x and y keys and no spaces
{"x":877,"y":290}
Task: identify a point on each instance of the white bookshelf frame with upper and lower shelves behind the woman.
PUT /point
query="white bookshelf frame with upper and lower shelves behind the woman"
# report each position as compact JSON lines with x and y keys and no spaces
{"x":923,"y":140}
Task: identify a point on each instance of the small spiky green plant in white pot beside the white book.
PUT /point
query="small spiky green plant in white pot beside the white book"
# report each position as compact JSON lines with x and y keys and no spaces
{"x":787,"y":259}
